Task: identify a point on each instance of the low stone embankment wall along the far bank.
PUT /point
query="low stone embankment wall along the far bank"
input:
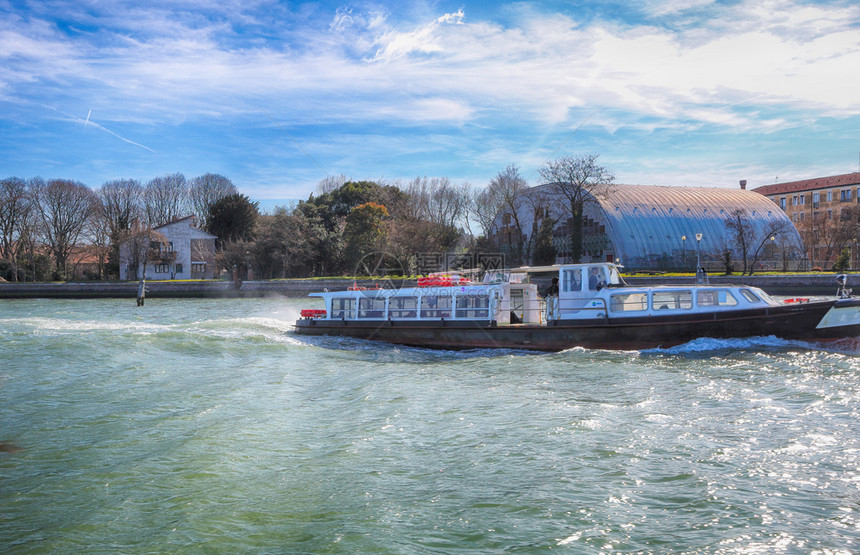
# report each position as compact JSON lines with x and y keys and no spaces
{"x":811,"y":284}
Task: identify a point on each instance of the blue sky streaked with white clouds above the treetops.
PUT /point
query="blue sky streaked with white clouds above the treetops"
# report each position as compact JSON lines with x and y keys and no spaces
{"x":279,"y":95}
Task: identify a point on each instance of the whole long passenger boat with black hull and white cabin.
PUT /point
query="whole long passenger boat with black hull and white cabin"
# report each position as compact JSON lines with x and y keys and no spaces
{"x":589,"y":306}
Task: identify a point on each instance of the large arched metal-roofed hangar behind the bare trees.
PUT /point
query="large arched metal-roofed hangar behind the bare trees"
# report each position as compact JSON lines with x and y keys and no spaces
{"x":652,"y":227}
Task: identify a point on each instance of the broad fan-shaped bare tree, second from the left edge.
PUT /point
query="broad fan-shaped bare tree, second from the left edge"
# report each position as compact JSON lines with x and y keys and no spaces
{"x":65,"y":208}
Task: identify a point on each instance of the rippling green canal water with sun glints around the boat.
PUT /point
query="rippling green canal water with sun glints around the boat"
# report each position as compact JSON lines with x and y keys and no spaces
{"x":205,"y":426}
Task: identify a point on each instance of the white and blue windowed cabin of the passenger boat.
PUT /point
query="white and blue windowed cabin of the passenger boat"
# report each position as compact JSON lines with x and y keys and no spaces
{"x":585,"y":291}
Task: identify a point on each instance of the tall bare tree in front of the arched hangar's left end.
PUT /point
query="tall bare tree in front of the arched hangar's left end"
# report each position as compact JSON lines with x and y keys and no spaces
{"x":579,"y":180}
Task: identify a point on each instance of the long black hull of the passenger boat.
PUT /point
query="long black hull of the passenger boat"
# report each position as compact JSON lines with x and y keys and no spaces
{"x":787,"y":322}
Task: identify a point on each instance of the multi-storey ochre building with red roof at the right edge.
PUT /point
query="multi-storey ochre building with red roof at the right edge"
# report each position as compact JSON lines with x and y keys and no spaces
{"x":825,"y":211}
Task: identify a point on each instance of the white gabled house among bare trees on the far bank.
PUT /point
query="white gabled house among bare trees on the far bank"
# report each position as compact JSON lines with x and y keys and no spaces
{"x":189,"y":253}
